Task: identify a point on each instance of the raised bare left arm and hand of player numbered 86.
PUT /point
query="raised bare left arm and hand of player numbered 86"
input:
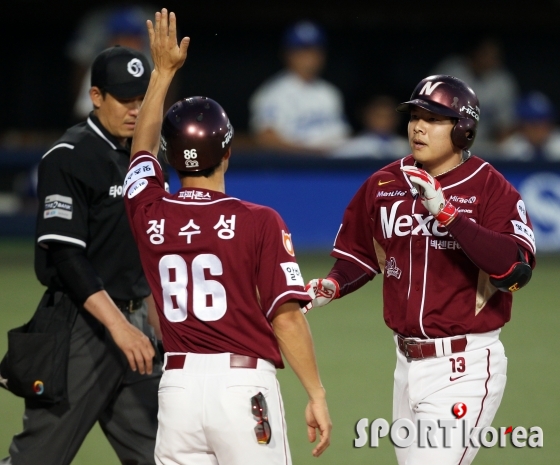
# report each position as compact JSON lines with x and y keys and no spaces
{"x":168,"y":56}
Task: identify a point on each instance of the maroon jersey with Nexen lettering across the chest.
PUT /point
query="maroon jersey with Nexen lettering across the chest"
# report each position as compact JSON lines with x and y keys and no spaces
{"x":430,"y":287}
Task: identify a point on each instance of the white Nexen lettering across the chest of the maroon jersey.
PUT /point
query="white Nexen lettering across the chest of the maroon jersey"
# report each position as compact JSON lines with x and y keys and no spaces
{"x":400,"y":225}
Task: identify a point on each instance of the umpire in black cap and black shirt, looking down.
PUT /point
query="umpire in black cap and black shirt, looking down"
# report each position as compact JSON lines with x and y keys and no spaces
{"x":85,"y":253}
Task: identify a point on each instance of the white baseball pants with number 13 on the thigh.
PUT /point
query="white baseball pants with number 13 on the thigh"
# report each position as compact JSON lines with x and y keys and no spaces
{"x":427,"y":390}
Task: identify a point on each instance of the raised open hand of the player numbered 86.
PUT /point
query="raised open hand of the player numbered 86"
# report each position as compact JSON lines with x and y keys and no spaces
{"x":167,"y":54}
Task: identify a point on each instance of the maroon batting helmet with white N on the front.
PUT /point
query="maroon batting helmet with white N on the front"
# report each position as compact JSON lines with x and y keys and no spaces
{"x":448,"y":96}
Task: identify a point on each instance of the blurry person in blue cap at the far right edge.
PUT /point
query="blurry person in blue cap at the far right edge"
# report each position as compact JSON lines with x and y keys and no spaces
{"x":537,"y":138}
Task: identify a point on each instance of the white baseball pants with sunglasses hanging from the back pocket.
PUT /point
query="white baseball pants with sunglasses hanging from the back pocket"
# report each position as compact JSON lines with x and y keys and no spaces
{"x":205,"y":415}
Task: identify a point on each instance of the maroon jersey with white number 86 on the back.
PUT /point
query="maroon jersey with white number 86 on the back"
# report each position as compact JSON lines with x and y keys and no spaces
{"x":218,"y":267}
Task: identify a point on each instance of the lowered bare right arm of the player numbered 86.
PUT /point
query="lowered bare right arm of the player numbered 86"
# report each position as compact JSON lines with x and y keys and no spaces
{"x":295,"y":341}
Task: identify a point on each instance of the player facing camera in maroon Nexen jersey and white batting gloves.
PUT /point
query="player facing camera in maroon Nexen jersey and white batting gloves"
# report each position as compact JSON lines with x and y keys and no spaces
{"x":453,"y":240}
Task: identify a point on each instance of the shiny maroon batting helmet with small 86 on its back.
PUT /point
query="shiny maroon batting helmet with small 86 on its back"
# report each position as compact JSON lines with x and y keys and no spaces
{"x":196,"y":134}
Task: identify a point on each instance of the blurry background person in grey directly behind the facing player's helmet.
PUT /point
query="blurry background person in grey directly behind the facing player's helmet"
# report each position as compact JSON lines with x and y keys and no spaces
{"x":483,"y":69}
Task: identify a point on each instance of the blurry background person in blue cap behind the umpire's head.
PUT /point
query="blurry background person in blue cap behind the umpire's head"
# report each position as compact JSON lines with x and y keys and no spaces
{"x":100,"y":29}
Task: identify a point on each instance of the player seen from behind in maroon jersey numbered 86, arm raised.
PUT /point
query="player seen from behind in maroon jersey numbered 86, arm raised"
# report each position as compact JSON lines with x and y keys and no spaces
{"x":225,"y":281}
